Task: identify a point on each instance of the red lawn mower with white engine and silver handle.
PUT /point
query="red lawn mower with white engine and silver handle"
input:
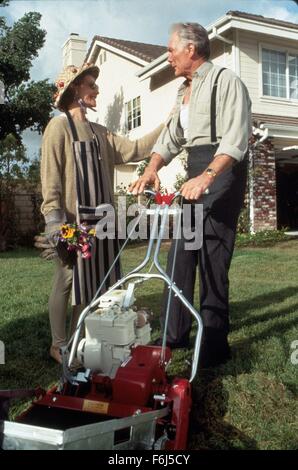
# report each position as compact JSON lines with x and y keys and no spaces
{"x":121,"y":396}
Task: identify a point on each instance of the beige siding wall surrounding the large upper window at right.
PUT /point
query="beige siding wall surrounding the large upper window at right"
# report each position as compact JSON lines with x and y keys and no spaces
{"x":250,"y":72}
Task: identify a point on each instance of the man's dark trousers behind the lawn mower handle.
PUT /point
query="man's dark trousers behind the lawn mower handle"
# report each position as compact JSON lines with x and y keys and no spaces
{"x":221,"y":211}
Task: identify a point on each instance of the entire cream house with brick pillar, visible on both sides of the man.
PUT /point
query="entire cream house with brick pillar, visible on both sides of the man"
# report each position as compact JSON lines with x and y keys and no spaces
{"x":138,"y":89}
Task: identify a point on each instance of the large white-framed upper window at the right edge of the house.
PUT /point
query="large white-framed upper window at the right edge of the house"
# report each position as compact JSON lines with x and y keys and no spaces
{"x":280,"y":74}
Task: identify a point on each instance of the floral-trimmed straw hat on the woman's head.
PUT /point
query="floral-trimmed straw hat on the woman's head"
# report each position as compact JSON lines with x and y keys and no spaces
{"x":68,"y":75}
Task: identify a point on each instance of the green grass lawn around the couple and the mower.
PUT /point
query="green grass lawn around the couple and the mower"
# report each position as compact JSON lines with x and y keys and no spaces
{"x":250,"y":403}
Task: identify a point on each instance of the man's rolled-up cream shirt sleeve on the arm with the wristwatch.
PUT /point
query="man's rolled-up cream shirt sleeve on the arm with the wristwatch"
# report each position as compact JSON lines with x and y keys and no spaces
{"x":234,"y":119}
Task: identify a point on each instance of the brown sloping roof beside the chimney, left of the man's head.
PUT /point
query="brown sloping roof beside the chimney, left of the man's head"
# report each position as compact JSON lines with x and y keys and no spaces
{"x":147,"y":52}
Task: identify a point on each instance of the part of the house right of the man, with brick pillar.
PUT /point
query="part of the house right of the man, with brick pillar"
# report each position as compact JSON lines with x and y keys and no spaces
{"x":264,"y":53}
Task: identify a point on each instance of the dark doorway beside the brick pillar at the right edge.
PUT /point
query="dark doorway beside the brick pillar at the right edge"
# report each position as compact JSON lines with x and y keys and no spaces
{"x":287,"y":195}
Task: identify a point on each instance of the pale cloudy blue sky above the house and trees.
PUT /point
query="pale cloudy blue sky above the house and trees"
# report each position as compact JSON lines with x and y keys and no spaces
{"x":146,"y":21}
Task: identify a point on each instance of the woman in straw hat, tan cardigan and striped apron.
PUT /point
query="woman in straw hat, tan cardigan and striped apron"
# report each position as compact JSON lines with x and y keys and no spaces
{"x":78,"y":159}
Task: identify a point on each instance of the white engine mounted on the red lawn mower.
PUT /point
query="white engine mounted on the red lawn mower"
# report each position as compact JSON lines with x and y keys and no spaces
{"x":111,"y":331}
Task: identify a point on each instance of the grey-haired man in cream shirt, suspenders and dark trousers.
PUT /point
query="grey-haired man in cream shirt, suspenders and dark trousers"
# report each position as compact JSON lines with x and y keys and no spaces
{"x":212,"y":121}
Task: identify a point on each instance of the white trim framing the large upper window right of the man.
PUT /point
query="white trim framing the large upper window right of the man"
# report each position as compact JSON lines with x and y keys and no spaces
{"x":274,"y":99}
